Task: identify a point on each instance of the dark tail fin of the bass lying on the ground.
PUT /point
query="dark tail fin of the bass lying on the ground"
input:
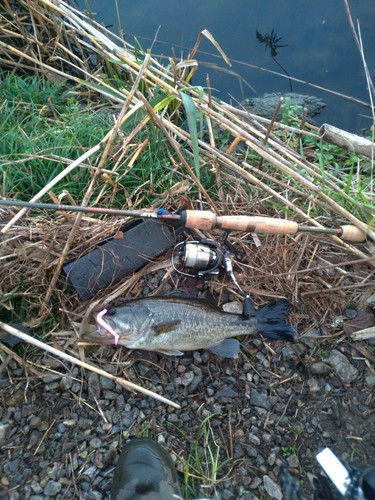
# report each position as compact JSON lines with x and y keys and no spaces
{"x":273,"y":321}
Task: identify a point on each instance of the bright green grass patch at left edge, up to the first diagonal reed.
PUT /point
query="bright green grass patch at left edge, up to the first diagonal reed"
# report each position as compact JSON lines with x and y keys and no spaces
{"x":41,"y":122}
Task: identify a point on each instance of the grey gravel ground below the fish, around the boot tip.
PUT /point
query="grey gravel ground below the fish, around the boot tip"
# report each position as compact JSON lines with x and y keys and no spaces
{"x":61,"y":434}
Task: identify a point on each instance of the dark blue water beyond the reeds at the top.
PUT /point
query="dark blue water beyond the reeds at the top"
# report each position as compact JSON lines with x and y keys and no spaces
{"x":320,"y":46}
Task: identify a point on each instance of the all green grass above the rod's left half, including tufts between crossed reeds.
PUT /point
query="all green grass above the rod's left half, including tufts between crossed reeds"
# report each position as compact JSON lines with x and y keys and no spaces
{"x":44,"y":123}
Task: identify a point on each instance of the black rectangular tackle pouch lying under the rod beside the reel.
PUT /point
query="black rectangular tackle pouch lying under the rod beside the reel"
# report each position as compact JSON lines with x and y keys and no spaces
{"x":142,"y":241}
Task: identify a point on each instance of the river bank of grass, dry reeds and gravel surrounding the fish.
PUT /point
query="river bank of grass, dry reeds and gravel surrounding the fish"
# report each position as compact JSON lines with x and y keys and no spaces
{"x":62,"y":427}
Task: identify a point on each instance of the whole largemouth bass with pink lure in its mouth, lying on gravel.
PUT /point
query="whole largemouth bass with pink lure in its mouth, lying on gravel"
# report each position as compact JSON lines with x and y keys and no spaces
{"x":172,"y":325}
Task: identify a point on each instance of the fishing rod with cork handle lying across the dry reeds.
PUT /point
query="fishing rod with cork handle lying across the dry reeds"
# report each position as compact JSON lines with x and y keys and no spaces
{"x":206,"y":220}
